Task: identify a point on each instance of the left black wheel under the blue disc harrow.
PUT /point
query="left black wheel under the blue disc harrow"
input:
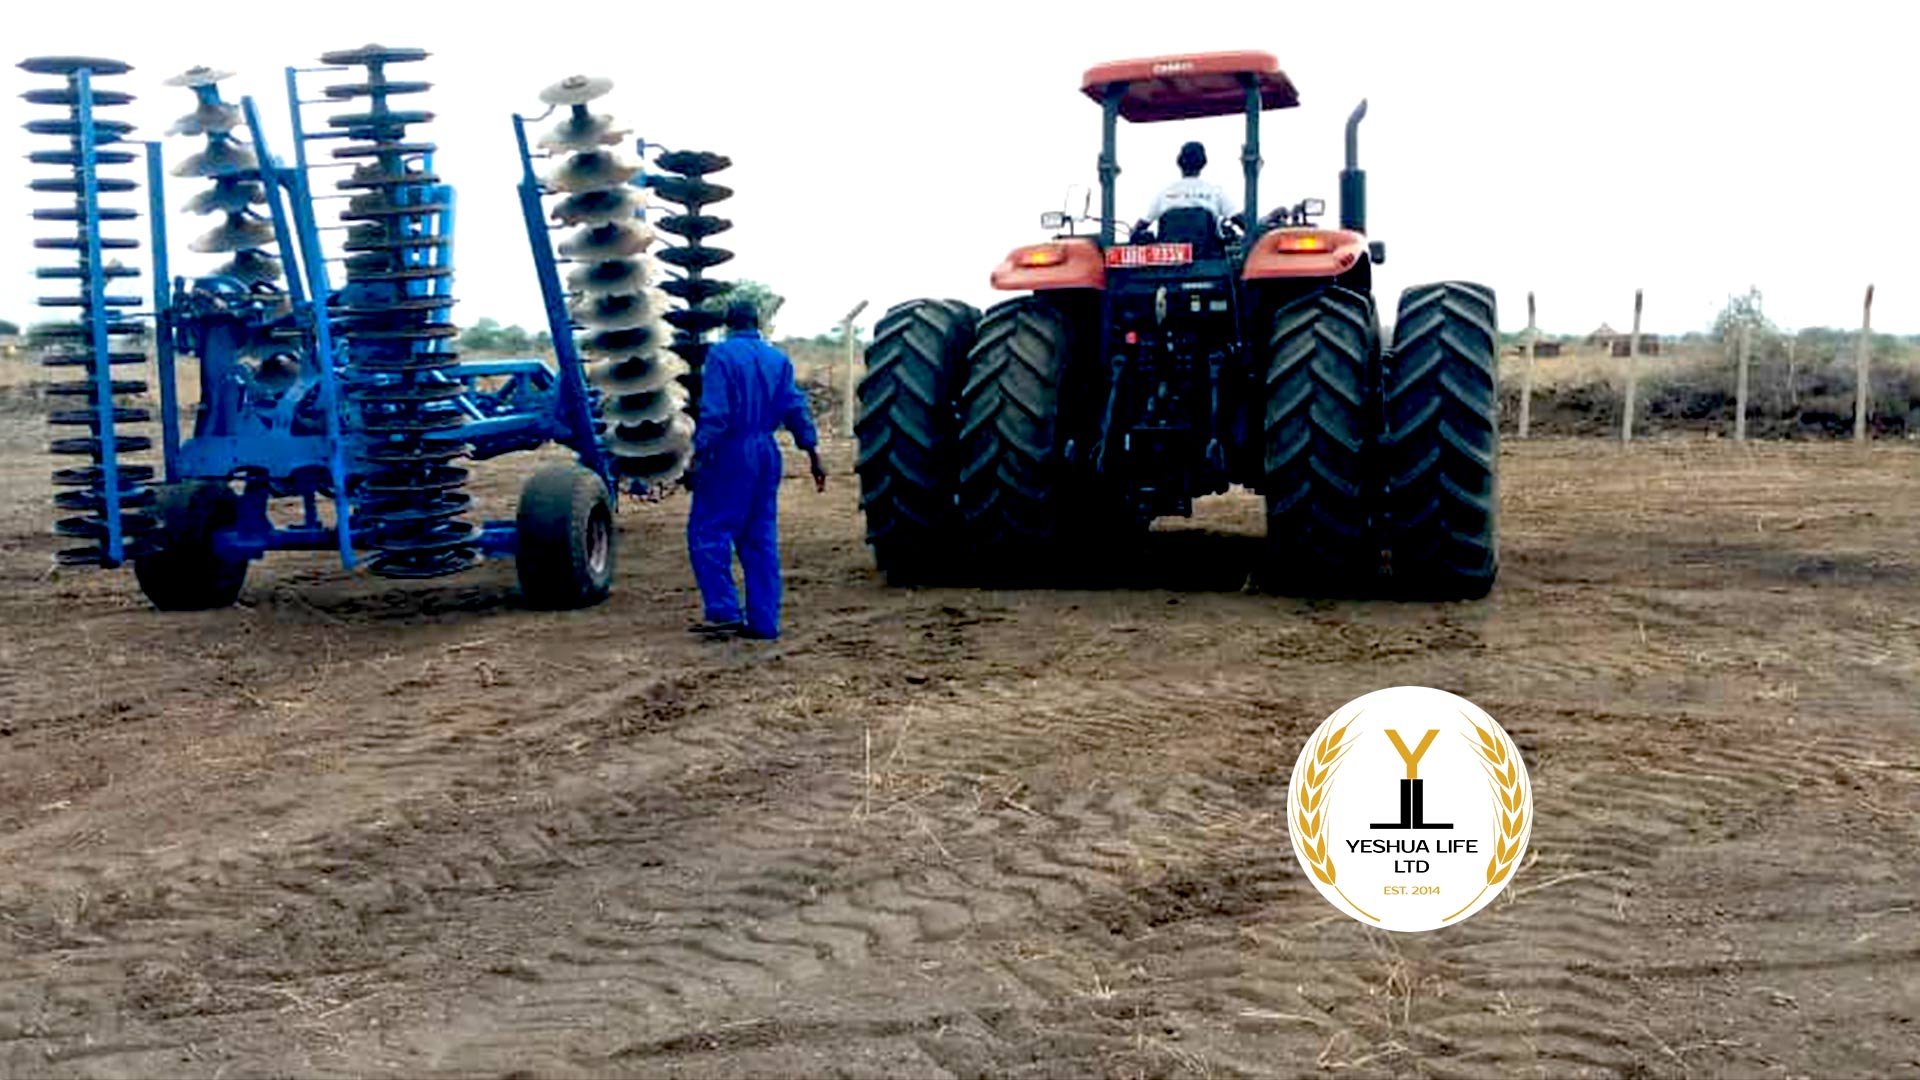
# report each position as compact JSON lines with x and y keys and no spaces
{"x":185,"y":572}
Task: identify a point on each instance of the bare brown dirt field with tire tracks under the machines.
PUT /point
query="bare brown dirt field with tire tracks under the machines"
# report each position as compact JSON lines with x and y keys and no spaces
{"x":358,"y":829}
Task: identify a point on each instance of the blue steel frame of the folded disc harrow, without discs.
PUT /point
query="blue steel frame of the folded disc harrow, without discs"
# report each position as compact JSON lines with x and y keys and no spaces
{"x":254,"y":441}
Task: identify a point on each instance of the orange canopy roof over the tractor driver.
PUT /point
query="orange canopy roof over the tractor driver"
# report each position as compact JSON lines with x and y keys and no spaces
{"x":1193,"y":86}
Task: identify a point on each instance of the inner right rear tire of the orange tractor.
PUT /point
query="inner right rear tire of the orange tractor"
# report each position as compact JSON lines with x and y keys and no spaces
{"x":1316,"y":435}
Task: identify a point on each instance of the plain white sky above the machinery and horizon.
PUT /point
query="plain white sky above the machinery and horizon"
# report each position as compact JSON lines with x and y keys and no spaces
{"x":900,"y":151}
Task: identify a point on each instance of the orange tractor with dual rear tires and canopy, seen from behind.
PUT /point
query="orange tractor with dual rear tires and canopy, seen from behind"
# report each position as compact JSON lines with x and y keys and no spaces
{"x":1140,"y":374}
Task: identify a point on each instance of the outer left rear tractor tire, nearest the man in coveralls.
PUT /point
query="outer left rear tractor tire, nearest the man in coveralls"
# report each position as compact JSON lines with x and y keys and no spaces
{"x":907,"y":433}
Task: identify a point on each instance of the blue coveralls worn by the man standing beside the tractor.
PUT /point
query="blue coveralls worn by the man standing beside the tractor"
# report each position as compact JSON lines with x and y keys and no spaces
{"x":748,"y":393}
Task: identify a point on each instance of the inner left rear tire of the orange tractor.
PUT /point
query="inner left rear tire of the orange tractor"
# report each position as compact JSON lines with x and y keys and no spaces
{"x":1009,"y":435}
